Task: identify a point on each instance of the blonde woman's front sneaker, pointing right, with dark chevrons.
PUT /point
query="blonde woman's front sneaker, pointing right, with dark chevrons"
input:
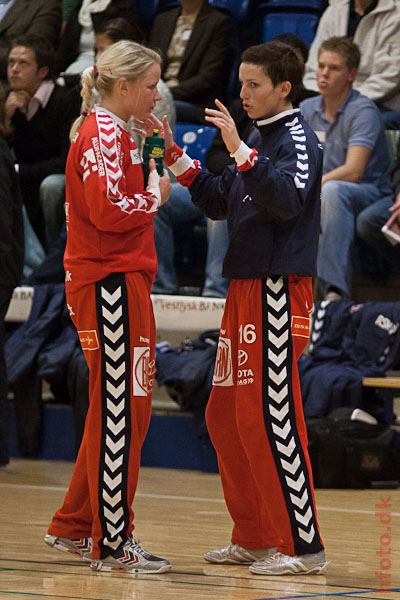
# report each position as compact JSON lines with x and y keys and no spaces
{"x":131,"y":557}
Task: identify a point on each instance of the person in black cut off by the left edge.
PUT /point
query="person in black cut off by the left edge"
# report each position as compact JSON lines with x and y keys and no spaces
{"x":11,"y":257}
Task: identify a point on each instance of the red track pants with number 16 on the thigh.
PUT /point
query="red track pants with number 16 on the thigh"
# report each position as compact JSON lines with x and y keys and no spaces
{"x":255,"y":416}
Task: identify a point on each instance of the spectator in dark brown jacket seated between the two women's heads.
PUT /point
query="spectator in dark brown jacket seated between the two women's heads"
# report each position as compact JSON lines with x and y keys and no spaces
{"x":196,"y":43}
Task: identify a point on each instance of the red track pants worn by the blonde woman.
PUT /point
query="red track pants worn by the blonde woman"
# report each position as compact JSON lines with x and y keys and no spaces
{"x":114,"y":319}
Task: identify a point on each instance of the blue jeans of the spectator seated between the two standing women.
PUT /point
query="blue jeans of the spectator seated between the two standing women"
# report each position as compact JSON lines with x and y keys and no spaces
{"x":180,"y":211}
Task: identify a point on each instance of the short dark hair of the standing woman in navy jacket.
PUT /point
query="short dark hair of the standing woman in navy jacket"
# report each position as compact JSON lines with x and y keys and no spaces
{"x":279,"y":62}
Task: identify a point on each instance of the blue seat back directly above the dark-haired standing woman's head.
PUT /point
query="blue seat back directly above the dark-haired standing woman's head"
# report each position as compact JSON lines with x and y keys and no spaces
{"x":302,"y":24}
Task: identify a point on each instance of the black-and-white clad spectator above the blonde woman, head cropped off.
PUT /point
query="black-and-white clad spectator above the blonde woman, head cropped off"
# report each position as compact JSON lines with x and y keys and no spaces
{"x":76,"y":49}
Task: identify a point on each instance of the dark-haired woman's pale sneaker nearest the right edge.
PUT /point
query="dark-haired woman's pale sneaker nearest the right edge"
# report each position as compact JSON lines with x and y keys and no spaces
{"x":282,"y":564}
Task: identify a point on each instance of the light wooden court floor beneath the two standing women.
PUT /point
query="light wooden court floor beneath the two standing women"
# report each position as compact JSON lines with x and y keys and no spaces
{"x":180,"y":515}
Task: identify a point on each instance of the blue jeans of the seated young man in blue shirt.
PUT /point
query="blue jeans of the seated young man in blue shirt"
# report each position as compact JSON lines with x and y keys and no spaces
{"x":341,"y":202}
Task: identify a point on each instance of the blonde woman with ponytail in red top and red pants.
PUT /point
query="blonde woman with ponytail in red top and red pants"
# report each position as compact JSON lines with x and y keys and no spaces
{"x":110,"y":263}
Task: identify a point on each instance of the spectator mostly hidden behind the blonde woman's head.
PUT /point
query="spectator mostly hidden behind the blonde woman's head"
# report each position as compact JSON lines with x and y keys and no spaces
{"x":109,"y":32}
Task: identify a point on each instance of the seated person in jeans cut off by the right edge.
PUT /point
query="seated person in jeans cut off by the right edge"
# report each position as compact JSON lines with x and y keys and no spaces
{"x":370,"y":222}
